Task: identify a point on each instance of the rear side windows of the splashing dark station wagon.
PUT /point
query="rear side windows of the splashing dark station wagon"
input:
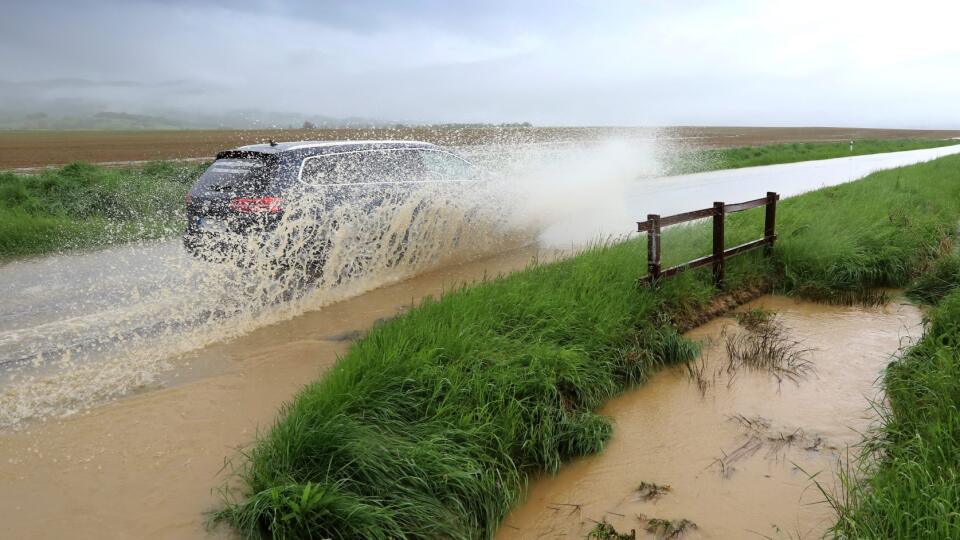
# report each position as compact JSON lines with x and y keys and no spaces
{"x":372,"y":166}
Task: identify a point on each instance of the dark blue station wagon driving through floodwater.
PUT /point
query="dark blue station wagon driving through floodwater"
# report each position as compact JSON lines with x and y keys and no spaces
{"x":247,"y":190}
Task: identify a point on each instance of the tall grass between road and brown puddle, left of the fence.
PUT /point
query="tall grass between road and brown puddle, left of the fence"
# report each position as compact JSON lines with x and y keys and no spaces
{"x":431,"y":424}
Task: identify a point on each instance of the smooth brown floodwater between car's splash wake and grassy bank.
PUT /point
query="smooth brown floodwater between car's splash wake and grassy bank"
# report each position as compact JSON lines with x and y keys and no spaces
{"x":148,"y":466}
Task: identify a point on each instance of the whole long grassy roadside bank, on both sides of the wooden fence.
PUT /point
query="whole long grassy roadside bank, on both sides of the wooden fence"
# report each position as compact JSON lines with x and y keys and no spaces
{"x":430,"y":424}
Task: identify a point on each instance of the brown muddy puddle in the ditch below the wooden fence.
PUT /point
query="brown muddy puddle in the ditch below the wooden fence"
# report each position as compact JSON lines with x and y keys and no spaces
{"x":738,"y":456}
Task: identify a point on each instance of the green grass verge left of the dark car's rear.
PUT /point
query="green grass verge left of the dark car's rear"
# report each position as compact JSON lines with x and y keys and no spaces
{"x":82,"y":206}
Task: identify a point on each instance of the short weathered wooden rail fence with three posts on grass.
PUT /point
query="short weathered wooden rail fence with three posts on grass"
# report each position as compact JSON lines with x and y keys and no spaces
{"x":654,"y":223}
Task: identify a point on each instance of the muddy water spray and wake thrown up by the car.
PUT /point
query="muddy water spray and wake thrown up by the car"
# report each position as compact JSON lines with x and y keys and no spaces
{"x":107,"y":324}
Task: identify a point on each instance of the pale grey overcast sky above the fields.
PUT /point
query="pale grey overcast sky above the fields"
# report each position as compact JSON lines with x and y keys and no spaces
{"x":845,"y":63}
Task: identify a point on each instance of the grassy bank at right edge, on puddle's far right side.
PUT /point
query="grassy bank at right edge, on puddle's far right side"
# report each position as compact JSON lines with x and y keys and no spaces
{"x":907,"y":485}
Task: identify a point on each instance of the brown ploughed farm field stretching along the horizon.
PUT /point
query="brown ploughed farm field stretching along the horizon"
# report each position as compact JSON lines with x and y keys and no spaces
{"x":39,"y":148}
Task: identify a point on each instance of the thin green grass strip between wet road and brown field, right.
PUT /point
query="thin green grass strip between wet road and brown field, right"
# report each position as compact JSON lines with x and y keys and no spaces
{"x":751,"y":156}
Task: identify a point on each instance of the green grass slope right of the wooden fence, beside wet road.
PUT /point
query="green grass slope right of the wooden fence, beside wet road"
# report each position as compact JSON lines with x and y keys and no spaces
{"x":840,"y":242}
